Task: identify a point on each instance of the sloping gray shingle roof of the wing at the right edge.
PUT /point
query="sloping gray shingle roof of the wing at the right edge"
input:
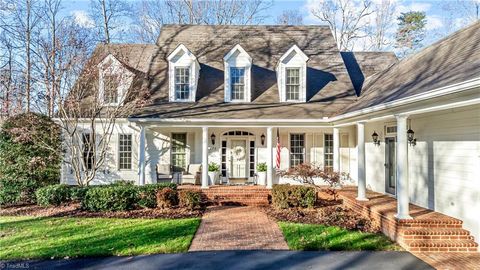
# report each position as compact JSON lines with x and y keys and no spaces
{"x":451,"y":60}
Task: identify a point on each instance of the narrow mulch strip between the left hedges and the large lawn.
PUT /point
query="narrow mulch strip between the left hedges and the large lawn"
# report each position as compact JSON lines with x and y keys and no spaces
{"x":74,"y":210}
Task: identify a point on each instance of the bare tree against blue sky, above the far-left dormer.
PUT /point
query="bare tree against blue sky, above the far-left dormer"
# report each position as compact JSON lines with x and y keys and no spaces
{"x":109,"y":15}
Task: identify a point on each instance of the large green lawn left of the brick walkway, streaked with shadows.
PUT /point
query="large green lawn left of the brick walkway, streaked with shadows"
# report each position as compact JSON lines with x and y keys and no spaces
{"x":29,"y":238}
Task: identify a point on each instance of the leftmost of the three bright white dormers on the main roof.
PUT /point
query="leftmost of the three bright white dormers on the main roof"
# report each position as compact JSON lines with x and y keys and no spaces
{"x":183,"y":72}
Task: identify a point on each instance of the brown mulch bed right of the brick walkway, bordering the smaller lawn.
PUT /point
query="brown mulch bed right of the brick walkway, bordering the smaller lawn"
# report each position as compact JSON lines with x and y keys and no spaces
{"x":327,"y":213}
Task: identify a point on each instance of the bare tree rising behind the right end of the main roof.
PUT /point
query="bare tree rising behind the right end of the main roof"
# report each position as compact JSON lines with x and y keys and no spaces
{"x":346,"y":19}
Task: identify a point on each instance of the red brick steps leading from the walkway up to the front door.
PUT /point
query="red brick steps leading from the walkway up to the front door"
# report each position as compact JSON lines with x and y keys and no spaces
{"x":234,"y":195}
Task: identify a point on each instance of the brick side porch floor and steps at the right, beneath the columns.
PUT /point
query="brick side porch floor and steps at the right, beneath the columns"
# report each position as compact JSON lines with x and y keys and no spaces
{"x":427,"y":231}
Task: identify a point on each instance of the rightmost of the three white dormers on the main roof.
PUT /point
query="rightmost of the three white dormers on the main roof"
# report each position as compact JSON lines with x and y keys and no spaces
{"x":292,"y":76}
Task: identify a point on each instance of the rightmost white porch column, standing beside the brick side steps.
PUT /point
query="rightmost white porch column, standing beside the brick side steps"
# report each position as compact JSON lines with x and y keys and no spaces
{"x":402,"y":168}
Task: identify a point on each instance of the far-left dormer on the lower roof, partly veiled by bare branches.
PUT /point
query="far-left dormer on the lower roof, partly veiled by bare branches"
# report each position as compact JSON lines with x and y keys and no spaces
{"x":114,"y":81}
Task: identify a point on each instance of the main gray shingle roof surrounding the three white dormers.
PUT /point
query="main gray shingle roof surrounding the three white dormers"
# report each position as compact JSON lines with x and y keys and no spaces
{"x":329,"y":87}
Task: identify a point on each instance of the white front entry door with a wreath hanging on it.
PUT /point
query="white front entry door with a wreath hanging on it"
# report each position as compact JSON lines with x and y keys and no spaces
{"x":238,"y":158}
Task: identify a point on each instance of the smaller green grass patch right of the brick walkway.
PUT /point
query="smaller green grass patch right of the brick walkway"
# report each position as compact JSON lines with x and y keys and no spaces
{"x":319,"y":237}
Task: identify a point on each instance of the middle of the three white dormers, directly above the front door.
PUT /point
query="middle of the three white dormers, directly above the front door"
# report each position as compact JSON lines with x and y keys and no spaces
{"x":238,"y":65}
